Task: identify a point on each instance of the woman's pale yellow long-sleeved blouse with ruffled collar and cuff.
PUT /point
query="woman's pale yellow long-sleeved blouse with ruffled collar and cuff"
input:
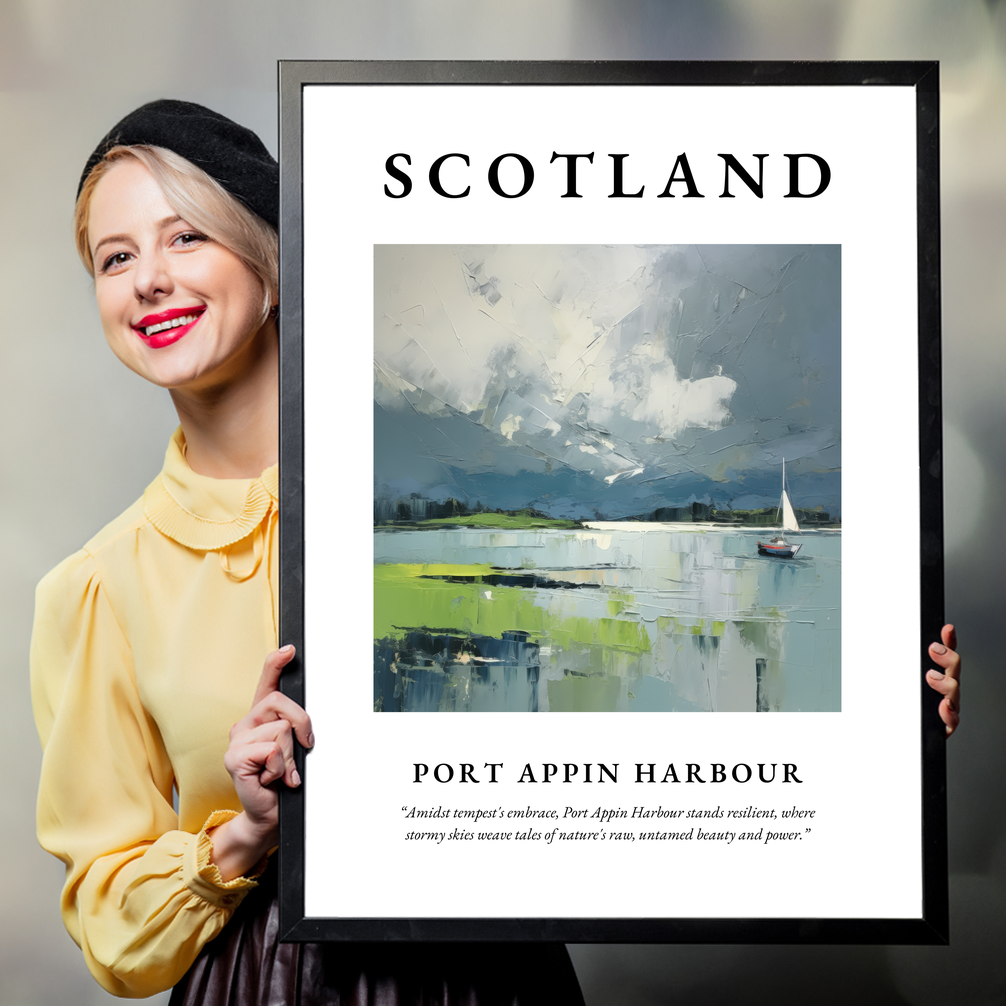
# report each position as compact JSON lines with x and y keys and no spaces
{"x":147,"y":647}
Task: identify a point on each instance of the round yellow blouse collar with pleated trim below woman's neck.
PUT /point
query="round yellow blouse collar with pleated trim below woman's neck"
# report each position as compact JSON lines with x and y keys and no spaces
{"x":204,"y":514}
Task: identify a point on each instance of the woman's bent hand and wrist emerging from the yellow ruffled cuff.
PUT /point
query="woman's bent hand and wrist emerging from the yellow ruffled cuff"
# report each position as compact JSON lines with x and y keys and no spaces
{"x":261,"y":753}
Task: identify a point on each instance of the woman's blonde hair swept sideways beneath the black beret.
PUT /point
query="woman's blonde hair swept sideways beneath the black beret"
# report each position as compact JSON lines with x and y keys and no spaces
{"x":201,"y":202}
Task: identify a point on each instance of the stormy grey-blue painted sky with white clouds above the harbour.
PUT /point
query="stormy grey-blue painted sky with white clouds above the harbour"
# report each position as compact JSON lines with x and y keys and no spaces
{"x":608,"y":382}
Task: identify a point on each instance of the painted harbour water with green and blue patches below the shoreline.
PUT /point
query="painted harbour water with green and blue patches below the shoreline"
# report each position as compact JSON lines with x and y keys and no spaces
{"x":653,"y":618}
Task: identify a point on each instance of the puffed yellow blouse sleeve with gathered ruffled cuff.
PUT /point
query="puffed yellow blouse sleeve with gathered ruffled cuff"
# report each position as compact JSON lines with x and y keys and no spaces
{"x":141,"y":898}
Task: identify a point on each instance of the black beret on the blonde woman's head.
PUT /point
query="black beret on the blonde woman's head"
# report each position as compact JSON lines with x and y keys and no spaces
{"x":229,"y":153}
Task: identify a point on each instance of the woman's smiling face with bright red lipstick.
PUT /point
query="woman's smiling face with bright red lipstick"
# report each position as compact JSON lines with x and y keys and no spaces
{"x":178,"y":308}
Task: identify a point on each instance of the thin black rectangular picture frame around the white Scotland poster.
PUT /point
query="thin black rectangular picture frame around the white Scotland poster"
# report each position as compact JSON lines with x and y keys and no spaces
{"x":932,"y":926}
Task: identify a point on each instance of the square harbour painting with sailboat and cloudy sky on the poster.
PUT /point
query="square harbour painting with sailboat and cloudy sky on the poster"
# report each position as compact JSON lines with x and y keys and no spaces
{"x":607,"y":479}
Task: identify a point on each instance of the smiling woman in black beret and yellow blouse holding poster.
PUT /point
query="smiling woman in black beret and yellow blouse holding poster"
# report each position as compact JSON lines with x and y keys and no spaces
{"x":148,"y":643}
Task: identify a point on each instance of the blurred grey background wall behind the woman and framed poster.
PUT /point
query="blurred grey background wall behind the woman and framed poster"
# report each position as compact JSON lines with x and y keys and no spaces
{"x":82,"y":437}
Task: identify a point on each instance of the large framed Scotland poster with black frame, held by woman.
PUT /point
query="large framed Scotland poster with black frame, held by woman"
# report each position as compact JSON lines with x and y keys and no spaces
{"x":611,"y":402}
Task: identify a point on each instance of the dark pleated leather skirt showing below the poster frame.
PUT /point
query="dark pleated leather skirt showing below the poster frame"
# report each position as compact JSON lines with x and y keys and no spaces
{"x":248,"y":966}
